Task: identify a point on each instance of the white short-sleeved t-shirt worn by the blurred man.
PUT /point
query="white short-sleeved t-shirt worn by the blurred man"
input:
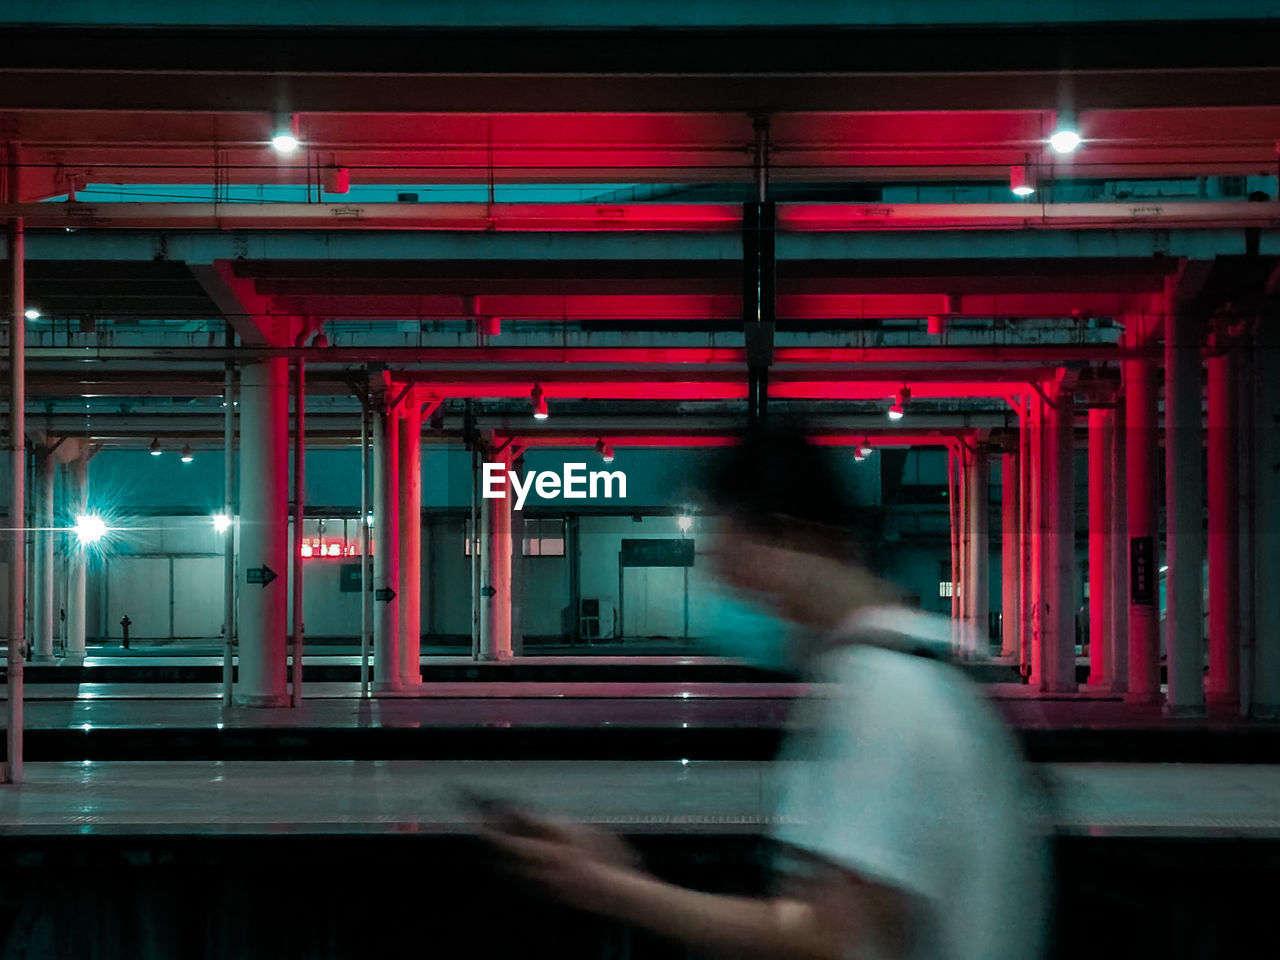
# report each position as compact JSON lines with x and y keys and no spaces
{"x":909,"y":779}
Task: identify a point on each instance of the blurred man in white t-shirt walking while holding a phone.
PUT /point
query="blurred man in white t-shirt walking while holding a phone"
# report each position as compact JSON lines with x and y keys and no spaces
{"x":907,"y":817}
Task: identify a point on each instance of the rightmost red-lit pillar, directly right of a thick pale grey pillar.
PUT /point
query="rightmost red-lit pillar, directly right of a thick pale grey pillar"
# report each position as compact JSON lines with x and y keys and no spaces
{"x":1224,"y":529}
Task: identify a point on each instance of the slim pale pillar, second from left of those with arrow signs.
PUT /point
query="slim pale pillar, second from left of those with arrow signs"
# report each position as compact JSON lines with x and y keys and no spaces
{"x":387,"y":650}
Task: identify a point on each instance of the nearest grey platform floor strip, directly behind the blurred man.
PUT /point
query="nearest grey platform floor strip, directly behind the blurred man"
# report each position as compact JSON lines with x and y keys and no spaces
{"x":368,"y":797}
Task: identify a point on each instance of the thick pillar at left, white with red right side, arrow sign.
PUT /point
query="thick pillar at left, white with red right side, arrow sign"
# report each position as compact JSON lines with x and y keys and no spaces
{"x":264,"y":493}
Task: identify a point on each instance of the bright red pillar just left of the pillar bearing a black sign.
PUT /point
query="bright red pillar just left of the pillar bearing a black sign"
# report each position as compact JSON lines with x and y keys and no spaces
{"x":1101,"y":574}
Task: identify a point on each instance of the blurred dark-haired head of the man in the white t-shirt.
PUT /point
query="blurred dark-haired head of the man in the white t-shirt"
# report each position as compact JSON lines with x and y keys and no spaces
{"x":794,"y":537}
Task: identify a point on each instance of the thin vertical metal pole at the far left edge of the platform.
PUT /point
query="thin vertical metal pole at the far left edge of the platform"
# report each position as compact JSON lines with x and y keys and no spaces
{"x":17,"y":488}
